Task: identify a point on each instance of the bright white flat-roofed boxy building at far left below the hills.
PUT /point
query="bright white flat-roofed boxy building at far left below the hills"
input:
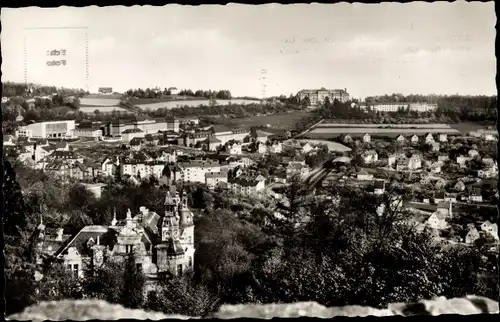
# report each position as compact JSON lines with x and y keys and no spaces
{"x":50,"y":129}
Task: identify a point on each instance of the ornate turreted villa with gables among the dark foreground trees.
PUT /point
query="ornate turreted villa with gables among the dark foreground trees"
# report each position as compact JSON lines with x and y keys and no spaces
{"x":159,"y":243}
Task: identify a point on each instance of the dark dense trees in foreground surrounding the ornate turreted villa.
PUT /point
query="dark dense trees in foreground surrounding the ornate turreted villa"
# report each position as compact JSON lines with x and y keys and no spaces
{"x":346,"y":253}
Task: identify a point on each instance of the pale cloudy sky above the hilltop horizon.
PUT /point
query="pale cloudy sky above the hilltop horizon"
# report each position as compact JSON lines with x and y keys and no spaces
{"x":261,"y":50}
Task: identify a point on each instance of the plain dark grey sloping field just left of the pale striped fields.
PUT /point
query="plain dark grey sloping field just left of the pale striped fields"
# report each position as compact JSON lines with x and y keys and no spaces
{"x":278,"y":121}
